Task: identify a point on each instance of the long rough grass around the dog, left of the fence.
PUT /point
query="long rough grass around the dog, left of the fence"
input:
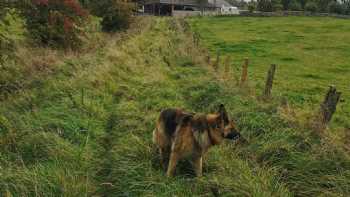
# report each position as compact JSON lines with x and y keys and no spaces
{"x":80,"y":124}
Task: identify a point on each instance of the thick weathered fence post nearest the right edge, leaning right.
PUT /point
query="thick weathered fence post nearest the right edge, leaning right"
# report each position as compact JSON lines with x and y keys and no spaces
{"x":329,"y":105}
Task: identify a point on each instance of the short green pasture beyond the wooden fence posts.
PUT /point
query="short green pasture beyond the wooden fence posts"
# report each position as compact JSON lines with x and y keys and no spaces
{"x":311,"y":53}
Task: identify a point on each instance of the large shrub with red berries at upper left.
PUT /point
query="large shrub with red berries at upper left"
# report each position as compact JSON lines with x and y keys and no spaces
{"x":55,"y":23}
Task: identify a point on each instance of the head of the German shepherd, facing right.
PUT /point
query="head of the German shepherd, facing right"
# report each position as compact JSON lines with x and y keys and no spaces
{"x":221,"y":127}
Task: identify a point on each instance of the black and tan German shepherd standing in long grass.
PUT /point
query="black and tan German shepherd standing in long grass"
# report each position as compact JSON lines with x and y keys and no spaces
{"x":179,"y":134}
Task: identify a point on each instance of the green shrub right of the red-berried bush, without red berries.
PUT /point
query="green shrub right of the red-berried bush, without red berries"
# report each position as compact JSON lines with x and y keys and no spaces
{"x":116,"y":14}
